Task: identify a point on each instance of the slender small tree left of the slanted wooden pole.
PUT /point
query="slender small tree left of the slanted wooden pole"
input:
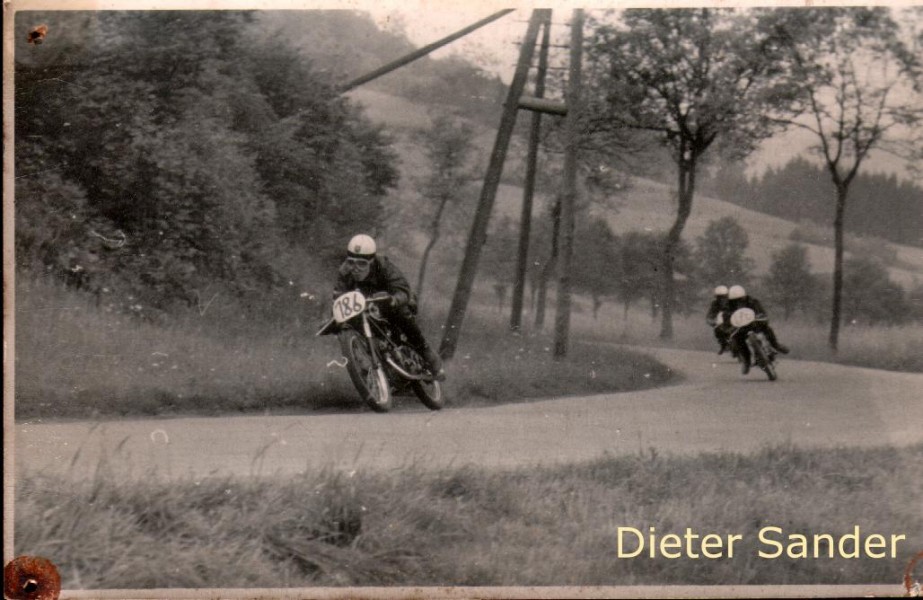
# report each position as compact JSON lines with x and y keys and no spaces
{"x":447,"y":146}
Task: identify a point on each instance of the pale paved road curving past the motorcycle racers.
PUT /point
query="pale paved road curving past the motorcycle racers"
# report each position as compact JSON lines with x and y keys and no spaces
{"x":715,"y":408}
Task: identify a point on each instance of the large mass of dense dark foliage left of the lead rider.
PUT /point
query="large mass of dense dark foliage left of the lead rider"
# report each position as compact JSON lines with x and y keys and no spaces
{"x":184,"y":161}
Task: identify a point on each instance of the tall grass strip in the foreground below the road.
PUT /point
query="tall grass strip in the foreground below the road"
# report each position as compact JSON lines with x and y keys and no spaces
{"x":471,"y":526}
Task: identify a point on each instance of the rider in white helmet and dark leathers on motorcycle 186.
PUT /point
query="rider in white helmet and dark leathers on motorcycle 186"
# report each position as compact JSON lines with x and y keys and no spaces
{"x":364,"y":270}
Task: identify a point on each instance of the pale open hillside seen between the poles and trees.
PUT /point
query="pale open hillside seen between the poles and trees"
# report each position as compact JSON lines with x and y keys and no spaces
{"x":647,"y":205}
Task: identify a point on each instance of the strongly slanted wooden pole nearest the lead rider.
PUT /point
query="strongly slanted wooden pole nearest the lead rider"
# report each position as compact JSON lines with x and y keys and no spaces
{"x":478,"y":235}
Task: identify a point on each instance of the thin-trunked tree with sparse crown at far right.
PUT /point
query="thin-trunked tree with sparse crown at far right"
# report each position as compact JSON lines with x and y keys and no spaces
{"x":858,"y":80}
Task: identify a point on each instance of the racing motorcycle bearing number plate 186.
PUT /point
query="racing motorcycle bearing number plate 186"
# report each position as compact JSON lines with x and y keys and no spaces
{"x":378,"y":357}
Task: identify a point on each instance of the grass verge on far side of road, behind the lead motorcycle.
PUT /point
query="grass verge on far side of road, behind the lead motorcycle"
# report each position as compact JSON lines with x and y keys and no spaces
{"x":75,"y":360}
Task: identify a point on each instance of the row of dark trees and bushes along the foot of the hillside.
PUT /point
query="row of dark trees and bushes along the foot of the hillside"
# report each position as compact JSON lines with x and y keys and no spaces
{"x":623,"y":270}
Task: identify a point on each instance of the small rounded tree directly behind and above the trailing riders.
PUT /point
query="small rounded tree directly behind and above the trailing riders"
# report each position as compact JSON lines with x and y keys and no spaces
{"x":719,"y":254}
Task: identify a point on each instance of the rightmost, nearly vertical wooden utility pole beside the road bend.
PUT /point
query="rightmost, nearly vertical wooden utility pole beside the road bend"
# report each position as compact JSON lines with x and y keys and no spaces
{"x":569,"y":192}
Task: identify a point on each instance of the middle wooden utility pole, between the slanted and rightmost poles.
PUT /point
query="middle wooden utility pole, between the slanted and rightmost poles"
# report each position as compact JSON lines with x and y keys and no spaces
{"x":525,"y":221}
